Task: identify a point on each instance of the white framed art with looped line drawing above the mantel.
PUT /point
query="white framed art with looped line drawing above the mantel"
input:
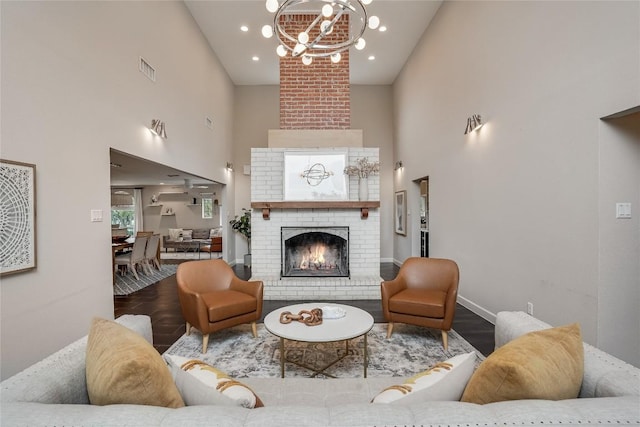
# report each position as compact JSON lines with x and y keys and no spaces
{"x":315,"y":176}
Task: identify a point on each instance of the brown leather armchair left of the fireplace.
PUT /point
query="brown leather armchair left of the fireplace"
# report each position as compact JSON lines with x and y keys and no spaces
{"x":213,"y":298}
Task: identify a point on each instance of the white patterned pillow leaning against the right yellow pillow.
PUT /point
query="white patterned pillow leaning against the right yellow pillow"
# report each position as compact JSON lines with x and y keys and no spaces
{"x":445,"y":381}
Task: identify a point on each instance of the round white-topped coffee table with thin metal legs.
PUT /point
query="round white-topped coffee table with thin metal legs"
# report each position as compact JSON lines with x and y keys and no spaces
{"x":355,"y":323}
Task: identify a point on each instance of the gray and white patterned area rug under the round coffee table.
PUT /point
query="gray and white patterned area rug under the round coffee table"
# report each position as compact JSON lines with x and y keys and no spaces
{"x":410,"y":350}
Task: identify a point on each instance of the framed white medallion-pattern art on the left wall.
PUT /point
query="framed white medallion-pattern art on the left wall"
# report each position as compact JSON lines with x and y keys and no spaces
{"x":18,"y":217}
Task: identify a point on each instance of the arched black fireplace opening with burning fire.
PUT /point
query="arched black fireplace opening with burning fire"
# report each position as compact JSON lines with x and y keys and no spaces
{"x":315,"y":252}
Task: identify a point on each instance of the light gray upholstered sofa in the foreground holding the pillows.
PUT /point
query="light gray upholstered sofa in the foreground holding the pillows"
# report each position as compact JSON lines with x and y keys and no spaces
{"x":53,"y":392}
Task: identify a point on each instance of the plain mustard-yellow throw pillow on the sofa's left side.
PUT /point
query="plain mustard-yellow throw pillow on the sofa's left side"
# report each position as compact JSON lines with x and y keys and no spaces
{"x":122,"y":367}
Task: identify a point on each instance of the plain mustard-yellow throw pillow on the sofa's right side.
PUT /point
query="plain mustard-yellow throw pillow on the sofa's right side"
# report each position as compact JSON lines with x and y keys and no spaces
{"x":547,"y":364}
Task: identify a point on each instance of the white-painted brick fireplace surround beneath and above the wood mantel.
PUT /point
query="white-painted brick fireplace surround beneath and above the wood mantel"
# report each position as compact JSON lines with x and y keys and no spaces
{"x":267,"y":185}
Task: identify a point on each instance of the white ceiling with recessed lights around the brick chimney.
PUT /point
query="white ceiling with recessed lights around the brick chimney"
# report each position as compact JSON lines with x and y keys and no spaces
{"x":220,"y":22}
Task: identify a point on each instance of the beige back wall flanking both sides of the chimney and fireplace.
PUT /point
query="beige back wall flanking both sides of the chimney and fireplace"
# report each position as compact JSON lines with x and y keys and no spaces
{"x":257,"y":111}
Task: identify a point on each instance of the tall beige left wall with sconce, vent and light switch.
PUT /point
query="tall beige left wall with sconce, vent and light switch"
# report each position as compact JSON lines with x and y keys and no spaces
{"x":71,"y":89}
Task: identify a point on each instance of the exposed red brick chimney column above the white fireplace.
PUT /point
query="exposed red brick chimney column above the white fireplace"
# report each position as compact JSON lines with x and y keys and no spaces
{"x":315,"y":96}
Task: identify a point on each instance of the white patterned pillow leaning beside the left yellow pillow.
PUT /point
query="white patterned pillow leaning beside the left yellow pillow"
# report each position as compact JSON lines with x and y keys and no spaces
{"x":202,"y":384}
